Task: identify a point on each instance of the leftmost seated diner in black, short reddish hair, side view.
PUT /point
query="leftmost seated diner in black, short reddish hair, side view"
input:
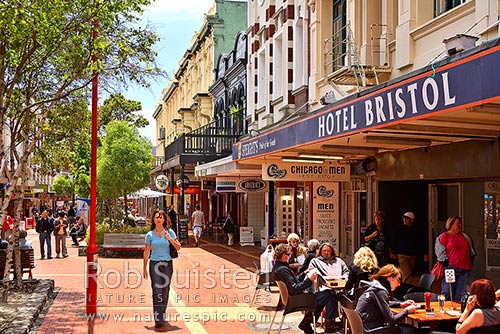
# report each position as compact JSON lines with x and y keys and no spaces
{"x":296,"y":284}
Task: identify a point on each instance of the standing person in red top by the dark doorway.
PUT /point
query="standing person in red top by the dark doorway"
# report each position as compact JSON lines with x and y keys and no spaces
{"x":455,"y":250}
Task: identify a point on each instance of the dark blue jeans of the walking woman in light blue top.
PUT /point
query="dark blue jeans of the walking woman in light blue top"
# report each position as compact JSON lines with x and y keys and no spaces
{"x":160,"y":273}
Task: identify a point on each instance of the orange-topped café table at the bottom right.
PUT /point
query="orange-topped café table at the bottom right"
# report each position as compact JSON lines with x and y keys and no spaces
{"x":424,"y":318}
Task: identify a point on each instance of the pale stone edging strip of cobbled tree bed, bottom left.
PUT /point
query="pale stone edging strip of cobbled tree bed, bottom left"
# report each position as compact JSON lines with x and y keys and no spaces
{"x":28,"y":314}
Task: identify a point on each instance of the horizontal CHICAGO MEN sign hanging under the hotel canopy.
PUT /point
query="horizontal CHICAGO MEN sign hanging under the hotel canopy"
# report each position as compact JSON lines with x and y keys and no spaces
{"x":300,"y":171}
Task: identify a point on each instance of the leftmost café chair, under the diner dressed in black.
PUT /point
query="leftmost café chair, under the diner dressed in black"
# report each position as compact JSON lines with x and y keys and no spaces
{"x":293,"y":303}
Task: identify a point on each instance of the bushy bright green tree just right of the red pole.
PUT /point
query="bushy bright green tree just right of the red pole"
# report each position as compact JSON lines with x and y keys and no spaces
{"x":124,"y":162}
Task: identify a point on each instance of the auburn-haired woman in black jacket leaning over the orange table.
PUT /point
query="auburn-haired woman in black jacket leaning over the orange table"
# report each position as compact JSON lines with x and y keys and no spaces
{"x":374,"y":305}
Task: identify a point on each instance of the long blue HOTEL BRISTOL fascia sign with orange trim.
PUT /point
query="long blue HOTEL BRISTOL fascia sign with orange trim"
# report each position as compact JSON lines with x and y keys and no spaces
{"x":464,"y":83}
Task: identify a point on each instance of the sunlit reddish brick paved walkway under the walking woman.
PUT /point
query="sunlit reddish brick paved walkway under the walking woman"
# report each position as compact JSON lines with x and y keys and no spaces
{"x":211,"y":293}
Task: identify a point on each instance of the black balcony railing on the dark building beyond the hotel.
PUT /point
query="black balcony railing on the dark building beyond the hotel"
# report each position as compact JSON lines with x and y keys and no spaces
{"x":214,"y":140}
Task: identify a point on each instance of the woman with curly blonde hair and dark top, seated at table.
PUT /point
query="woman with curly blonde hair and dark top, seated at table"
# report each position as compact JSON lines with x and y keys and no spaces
{"x":363,"y":265}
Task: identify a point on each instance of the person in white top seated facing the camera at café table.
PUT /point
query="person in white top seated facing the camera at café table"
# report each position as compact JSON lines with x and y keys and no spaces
{"x":328,"y":264}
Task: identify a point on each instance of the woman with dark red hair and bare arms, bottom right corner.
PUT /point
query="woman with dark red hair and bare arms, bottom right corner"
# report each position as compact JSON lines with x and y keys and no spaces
{"x":480,"y":309}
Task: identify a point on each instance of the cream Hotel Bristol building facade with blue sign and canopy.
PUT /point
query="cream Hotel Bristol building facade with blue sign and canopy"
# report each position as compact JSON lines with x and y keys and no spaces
{"x":415,"y":121}
